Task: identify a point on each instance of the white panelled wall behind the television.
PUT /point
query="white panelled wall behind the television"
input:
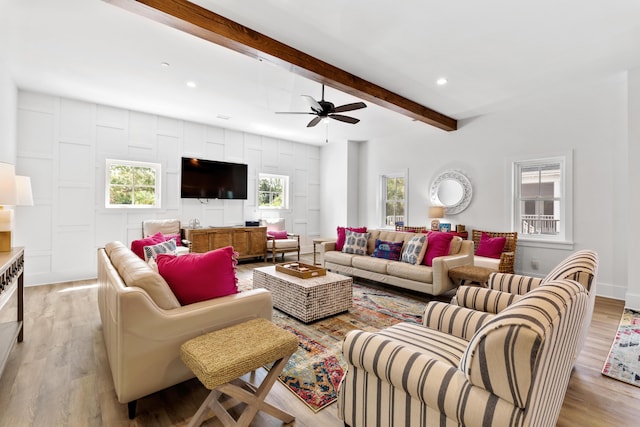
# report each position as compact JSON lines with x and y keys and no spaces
{"x":63,"y":144}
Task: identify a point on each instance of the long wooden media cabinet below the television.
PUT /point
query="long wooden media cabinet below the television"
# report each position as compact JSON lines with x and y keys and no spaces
{"x":249,"y":242}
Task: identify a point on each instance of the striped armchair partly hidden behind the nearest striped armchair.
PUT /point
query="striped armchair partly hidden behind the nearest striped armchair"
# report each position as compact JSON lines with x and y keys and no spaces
{"x":503,"y":289}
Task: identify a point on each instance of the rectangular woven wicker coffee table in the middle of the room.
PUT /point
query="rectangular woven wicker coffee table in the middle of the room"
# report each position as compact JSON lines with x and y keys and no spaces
{"x":306,"y":299}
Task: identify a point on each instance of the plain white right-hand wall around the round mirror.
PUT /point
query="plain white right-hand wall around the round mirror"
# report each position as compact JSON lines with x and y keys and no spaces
{"x":590,"y":120}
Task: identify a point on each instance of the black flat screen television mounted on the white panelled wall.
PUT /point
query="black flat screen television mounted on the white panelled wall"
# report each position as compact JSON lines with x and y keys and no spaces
{"x":210,"y":179}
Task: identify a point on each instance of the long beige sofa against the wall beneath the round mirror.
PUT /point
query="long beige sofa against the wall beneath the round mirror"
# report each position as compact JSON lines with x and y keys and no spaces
{"x":432,"y":280}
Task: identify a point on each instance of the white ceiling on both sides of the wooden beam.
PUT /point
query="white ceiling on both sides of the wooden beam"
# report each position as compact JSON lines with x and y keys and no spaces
{"x":491,"y":52}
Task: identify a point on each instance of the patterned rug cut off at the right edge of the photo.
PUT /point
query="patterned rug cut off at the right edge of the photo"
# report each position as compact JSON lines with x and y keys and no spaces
{"x":623,"y":363}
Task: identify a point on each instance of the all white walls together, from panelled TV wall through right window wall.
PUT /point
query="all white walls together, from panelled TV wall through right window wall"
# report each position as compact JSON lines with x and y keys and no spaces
{"x":62,"y":144}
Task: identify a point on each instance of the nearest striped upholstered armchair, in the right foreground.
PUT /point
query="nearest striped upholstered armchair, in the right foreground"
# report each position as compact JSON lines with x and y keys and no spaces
{"x":471,"y":369}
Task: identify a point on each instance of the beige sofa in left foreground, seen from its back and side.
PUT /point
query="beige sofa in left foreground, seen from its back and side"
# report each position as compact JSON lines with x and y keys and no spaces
{"x":144,"y":325}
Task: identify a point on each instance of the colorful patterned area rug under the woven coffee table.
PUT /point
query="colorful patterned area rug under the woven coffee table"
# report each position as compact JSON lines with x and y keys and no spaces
{"x":316,"y":369}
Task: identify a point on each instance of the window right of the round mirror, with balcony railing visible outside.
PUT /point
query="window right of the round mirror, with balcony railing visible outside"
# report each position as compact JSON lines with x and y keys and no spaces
{"x":542,"y":202}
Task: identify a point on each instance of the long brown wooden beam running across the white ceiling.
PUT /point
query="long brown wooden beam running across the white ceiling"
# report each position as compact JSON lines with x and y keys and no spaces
{"x":203,"y":23}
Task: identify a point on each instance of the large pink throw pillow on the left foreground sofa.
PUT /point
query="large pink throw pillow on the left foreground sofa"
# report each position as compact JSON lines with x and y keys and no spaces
{"x":200,"y":276}
